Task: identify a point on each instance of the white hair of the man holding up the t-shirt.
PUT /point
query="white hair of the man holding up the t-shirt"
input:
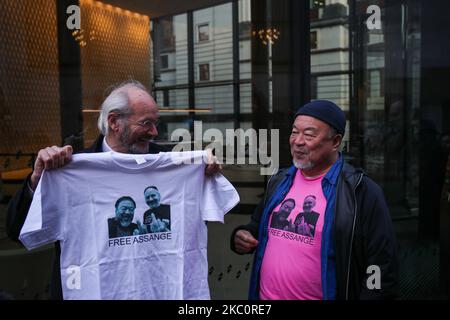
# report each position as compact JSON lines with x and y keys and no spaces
{"x":117,"y":100}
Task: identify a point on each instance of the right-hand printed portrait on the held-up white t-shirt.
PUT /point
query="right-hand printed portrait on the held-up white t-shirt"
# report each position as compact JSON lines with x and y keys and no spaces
{"x":157,"y":217}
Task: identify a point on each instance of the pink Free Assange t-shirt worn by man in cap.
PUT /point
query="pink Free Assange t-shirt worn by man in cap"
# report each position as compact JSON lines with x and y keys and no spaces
{"x":291,"y":267}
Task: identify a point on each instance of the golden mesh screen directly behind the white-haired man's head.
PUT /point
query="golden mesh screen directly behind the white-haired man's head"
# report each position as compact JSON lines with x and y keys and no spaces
{"x":115,"y":46}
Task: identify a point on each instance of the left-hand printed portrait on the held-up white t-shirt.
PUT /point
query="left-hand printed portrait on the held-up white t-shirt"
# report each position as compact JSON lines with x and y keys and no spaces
{"x":122,"y":224}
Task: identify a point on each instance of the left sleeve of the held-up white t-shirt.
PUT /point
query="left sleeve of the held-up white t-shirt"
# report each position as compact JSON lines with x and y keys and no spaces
{"x":44,"y":222}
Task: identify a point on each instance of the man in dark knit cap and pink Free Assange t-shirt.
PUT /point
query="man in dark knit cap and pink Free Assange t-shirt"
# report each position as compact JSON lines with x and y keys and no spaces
{"x":352,"y":253}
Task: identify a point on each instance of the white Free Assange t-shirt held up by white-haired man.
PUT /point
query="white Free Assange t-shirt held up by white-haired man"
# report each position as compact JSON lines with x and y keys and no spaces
{"x":105,"y":253}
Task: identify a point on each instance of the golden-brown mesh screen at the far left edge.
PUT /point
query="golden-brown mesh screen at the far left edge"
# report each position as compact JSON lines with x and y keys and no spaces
{"x":29,"y":80}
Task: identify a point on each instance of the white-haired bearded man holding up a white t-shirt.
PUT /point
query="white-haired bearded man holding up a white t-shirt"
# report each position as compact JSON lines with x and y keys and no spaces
{"x":128,"y":123}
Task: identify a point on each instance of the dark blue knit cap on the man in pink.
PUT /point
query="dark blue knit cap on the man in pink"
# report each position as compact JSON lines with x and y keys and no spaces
{"x":325,"y":111}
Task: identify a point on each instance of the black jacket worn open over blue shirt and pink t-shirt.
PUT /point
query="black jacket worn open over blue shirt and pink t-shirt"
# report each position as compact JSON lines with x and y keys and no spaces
{"x":363,"y":235}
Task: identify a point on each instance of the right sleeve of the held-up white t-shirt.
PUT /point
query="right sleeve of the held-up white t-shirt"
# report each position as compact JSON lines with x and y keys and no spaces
{"x":219,"y":197}
